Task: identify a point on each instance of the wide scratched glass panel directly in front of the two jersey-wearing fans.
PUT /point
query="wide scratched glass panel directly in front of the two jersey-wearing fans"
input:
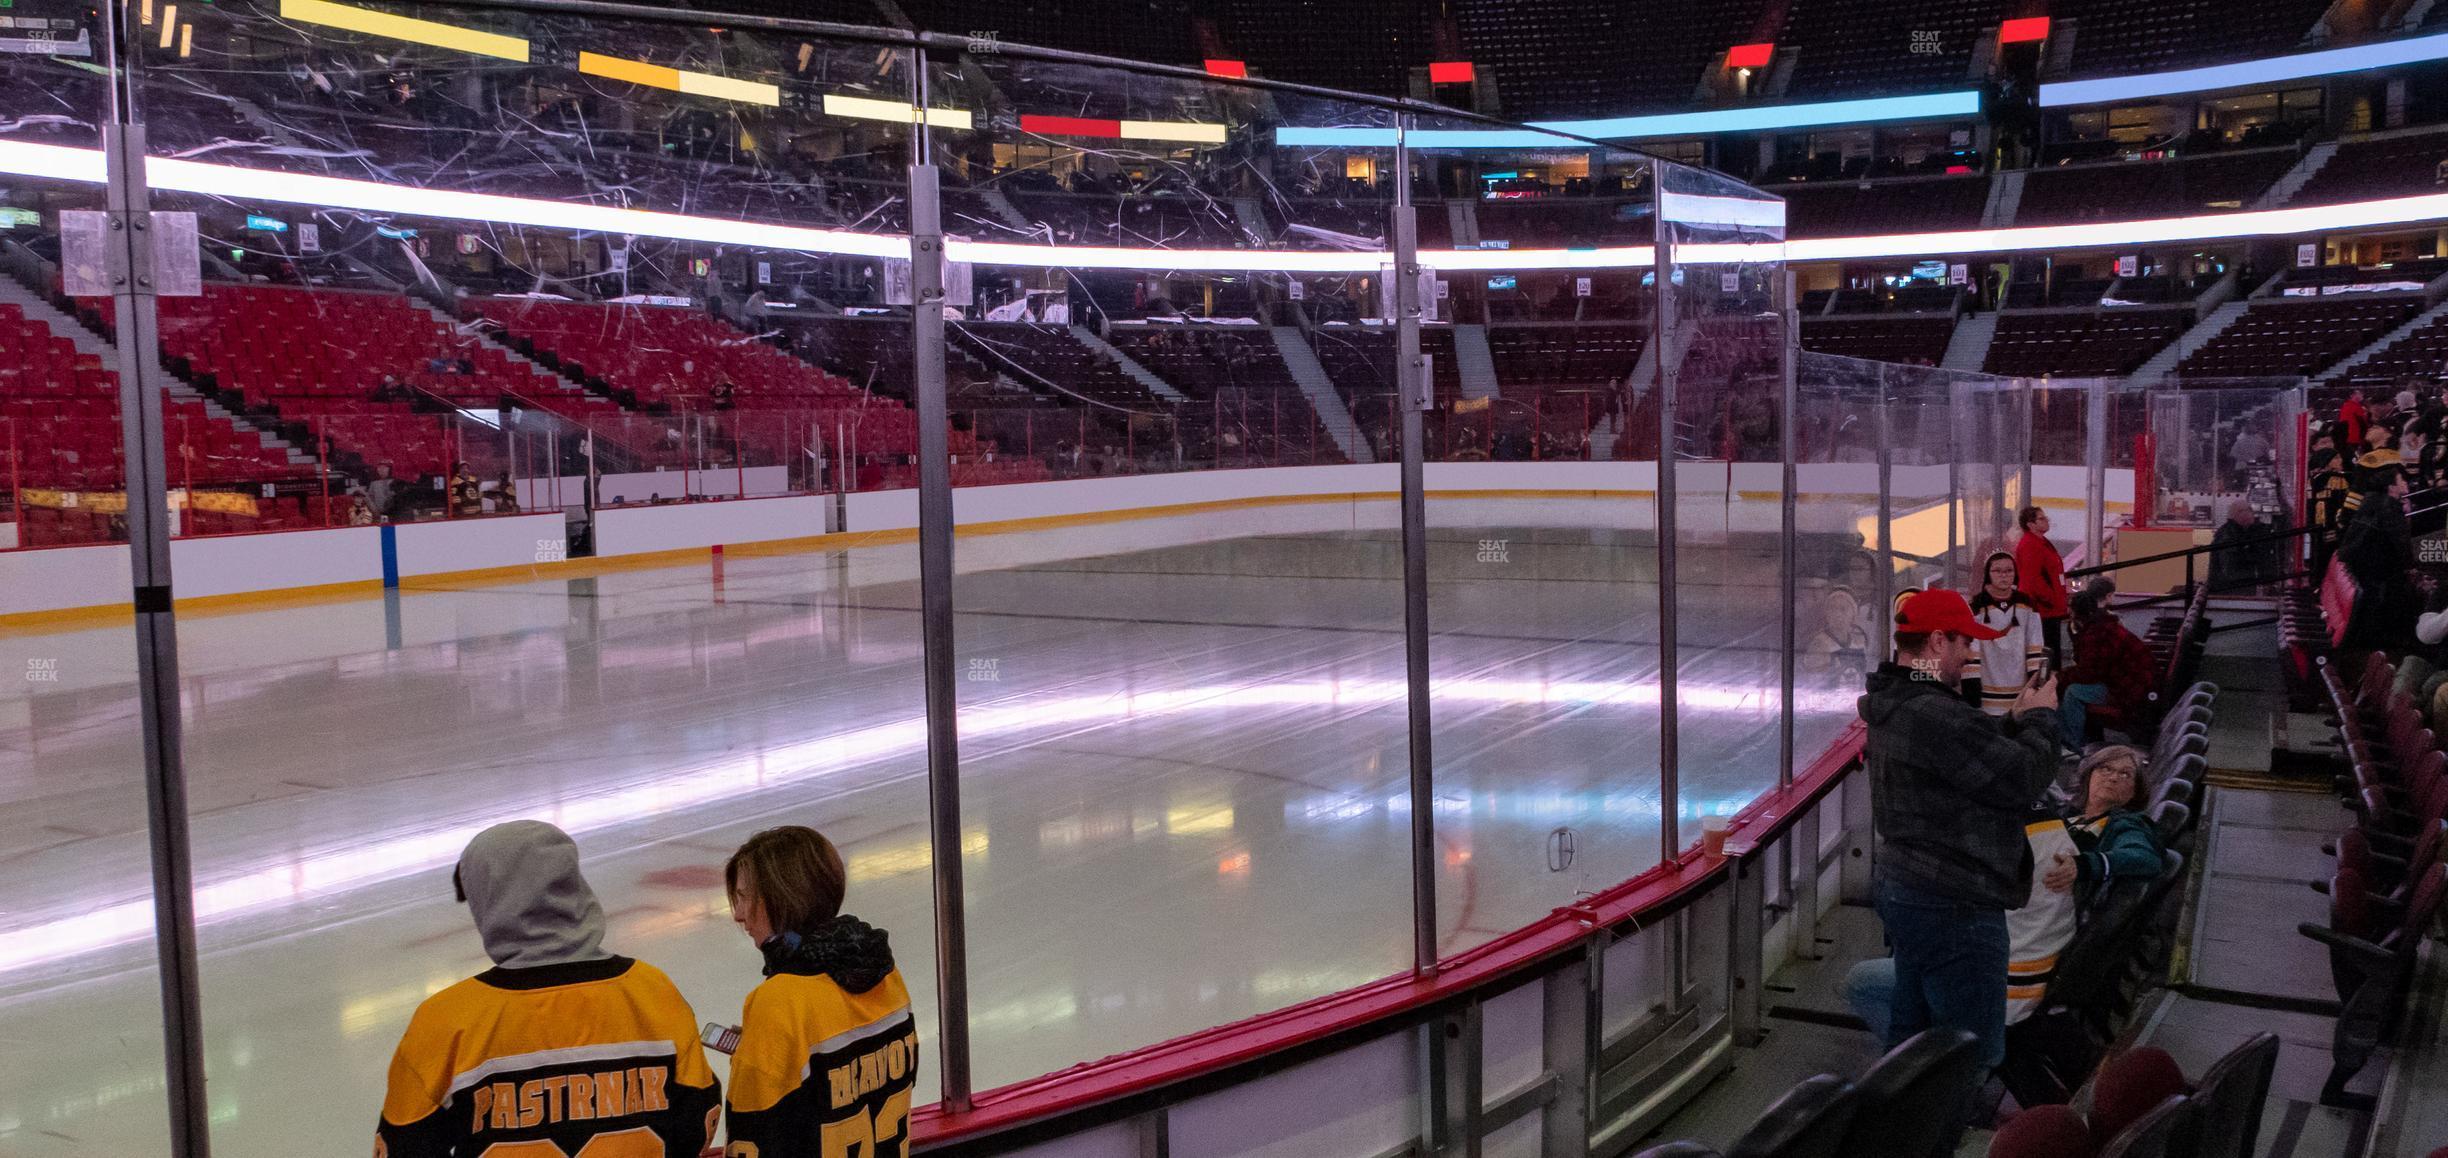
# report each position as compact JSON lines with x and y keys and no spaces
{"x":491,"y":290}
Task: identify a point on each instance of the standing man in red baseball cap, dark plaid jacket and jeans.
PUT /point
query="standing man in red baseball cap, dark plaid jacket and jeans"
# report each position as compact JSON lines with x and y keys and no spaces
{"x":1950,"y":790}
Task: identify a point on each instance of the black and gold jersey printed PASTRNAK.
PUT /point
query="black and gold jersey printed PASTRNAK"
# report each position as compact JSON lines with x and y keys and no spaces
{"x":557,"y":1061}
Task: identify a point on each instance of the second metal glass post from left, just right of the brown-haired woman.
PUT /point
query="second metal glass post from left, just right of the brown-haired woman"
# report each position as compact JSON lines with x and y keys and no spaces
{"x":936,"y":616}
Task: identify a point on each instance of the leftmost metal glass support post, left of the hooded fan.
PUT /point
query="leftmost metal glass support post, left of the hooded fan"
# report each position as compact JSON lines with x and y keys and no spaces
{"x":131,"y":258}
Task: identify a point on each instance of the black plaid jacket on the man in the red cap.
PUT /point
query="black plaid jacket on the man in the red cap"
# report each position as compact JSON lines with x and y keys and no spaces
{"x":1950,"y":790}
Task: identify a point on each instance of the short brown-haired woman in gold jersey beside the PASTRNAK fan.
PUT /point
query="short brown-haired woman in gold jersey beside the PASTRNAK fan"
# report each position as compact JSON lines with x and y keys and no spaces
{"x":829,"y":1052}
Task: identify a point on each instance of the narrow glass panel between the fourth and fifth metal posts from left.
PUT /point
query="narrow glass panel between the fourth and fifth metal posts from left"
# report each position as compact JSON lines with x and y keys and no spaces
{"x":1725,"y":359}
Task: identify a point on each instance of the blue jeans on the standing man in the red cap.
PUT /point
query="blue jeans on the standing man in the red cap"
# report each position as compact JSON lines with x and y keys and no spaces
{"x":1950,"y":966}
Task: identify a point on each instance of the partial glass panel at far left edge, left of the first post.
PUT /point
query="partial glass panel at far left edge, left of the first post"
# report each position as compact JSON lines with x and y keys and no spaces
{"x":80,"y":990}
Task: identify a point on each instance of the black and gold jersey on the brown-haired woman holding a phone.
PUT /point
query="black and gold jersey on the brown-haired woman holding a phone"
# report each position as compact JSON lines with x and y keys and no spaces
{"x":829,"y":1052}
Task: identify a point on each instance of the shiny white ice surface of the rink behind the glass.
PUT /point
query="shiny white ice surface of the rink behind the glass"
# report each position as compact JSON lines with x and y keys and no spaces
{"x":1184,"y":770}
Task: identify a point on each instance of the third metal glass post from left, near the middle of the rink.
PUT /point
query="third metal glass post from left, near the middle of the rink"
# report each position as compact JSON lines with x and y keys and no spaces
{"x":1416,"y":395}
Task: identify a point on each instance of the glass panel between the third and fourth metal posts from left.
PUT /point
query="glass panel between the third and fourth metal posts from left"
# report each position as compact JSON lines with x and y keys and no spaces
{"x":1541,"y":525}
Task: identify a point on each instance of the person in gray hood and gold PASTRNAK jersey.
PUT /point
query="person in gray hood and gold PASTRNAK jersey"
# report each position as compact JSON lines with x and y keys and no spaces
{"x":562,"y":1042}
